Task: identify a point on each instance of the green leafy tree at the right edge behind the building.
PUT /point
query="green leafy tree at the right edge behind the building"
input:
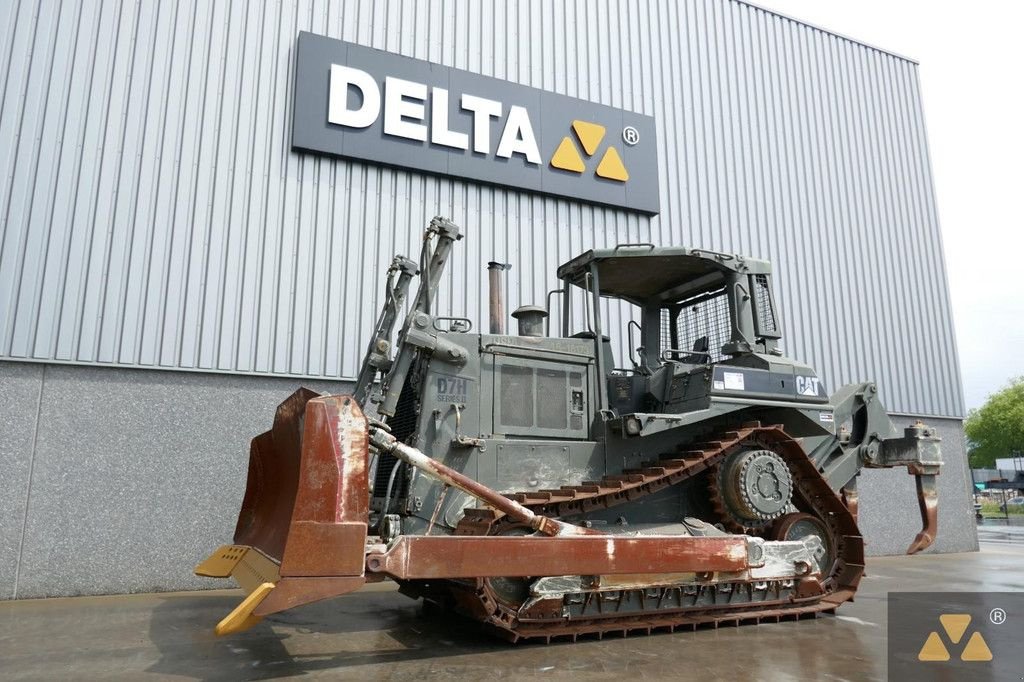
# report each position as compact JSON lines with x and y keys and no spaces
{"x":997,"y":429}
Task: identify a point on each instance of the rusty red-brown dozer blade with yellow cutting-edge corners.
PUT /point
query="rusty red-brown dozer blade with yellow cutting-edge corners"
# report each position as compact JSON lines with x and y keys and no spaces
{"x":303,"y":530}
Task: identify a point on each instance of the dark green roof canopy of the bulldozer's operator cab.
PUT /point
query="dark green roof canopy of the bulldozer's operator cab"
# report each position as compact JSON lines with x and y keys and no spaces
{"x":646,"y":275}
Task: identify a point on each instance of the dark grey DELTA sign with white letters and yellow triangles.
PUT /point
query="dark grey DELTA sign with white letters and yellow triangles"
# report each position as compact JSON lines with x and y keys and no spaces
{"x":367,"y":105}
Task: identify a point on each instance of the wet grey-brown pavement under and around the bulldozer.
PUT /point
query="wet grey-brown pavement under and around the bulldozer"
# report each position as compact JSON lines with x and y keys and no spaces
{"x":379,"y":634}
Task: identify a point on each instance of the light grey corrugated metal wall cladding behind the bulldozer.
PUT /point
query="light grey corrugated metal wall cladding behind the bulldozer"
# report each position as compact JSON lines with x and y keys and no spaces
{"x":154,"y":215}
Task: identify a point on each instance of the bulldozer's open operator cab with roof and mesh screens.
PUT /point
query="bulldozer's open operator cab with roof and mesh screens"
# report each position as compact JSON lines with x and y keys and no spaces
{"x":699,"y":310}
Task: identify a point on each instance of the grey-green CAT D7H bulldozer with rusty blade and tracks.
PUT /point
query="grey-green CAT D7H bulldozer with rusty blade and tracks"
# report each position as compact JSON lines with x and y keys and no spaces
{"x":527,"y":482}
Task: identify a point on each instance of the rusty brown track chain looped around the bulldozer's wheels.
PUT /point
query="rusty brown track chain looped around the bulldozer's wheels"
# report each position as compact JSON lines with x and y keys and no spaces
{"x":812,"y":493}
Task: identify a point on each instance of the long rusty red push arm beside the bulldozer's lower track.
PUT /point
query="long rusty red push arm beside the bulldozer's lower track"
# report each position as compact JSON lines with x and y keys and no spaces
{"x":432,"y":558}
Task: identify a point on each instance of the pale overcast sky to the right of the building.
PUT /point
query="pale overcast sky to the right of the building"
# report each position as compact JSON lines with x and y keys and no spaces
{"x":972,"y":73}
